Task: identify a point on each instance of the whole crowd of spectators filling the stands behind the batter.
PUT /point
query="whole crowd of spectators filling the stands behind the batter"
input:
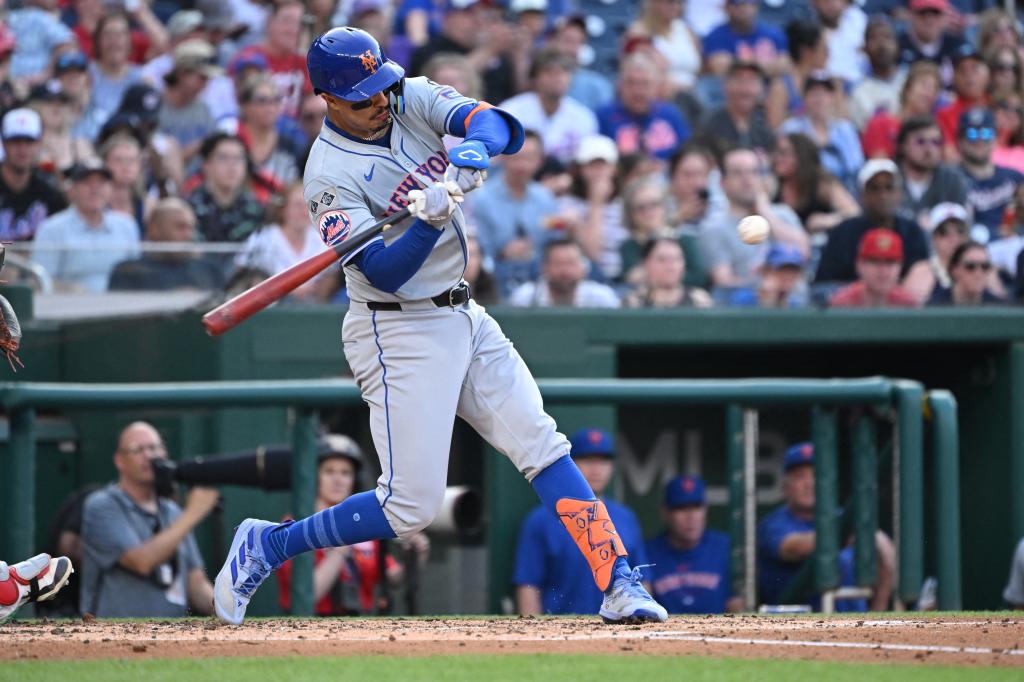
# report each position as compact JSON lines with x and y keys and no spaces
{"x":882,"y":141}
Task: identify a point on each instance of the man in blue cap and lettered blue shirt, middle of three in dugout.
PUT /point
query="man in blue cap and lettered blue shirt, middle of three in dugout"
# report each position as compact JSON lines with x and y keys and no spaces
{"x":691,"y":572}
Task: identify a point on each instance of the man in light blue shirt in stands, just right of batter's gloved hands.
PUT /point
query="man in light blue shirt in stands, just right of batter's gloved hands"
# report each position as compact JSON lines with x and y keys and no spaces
{"x":510,"y":212}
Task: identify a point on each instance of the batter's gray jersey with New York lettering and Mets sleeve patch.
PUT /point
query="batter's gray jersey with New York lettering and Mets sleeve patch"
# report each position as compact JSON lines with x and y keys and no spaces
{"x":350,"y":186}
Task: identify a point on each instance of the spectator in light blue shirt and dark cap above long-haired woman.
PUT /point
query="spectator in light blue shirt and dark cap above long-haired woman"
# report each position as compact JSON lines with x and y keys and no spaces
{"x":837,"y":140}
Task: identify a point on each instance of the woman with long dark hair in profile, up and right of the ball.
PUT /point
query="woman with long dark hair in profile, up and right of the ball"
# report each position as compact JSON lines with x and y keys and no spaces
{"x":804,"y":186}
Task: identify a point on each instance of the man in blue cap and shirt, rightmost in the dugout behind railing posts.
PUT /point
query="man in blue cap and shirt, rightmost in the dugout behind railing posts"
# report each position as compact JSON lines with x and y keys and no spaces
{"x":787,"y":539}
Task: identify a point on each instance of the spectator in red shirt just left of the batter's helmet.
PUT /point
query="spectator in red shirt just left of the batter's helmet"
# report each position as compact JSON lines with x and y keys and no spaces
{"x":281,"y":50}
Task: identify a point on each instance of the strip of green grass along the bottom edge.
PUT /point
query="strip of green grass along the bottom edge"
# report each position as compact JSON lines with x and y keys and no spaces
{"x":518,"y":668}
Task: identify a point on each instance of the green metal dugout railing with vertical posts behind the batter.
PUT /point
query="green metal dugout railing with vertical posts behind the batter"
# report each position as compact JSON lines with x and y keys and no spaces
{"x":907,"y":401}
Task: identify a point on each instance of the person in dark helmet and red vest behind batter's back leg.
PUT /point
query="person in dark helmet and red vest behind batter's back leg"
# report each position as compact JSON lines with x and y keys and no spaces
{"x":346,"y":579}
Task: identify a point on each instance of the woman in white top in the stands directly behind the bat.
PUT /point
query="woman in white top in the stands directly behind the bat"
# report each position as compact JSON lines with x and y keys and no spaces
{"x":288,"y":240}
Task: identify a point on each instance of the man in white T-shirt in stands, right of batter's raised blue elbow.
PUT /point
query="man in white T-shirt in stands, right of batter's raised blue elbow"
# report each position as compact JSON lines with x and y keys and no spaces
{"x":560,"y":120}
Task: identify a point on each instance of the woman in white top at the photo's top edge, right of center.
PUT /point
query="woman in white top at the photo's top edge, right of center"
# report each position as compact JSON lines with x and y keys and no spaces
{"x":661,"y":21}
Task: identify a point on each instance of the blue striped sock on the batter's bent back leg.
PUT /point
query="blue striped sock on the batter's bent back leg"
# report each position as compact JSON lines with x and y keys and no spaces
{"x":357,"y":520}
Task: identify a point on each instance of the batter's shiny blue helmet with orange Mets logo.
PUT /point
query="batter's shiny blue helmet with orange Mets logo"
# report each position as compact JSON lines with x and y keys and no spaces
{"x":349,"y":64}
